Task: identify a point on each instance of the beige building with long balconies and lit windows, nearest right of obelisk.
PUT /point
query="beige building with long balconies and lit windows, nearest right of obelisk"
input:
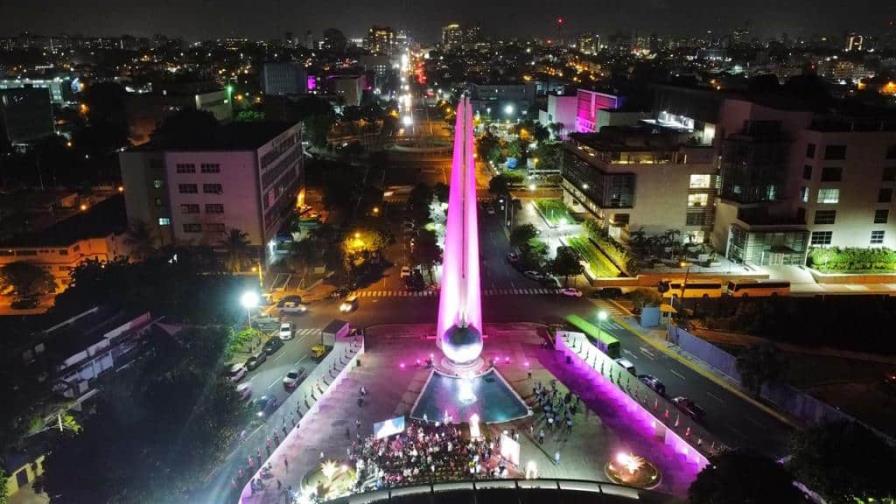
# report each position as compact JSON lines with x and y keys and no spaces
{"x":641,"y":178}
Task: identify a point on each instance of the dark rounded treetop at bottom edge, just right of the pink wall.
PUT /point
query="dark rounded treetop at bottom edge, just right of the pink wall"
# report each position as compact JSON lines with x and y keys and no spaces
{"x":743,"y":478}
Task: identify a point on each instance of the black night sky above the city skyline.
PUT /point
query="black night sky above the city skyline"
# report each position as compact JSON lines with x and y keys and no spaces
{"x":198,"y":19}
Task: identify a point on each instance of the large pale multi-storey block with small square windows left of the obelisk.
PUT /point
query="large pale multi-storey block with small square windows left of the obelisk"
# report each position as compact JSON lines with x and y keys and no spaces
{"x":247,"y":177}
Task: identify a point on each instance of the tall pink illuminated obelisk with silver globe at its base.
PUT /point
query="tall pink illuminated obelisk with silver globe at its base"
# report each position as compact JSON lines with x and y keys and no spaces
{"x":459,"y":329}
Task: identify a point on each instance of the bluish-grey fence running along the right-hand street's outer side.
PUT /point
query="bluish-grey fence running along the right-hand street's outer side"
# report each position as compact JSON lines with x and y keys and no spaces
{"x":796,"y":403}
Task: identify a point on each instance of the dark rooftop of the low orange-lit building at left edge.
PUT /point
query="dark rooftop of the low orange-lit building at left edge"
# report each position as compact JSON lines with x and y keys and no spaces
{"x":102,"y":219}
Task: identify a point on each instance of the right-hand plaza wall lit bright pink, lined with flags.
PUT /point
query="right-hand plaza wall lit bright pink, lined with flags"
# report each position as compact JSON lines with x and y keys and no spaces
{"x":652,"y":413}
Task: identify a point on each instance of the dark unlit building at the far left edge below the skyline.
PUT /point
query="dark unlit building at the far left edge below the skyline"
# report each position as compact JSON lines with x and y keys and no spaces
{"x":26,"y":115}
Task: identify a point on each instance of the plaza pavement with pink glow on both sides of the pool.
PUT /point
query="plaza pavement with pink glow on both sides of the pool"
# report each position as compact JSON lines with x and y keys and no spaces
{"x":600,"y":430}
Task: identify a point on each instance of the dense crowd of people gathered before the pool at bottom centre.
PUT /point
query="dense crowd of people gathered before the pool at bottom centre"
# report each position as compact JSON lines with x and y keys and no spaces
{"x":424,"y":452}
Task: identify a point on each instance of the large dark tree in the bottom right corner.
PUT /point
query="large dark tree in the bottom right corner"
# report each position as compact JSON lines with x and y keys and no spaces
{"x":844,"y":462}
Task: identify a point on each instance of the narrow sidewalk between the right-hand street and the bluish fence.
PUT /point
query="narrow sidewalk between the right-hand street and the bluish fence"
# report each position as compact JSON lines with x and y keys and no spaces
{"x":657,"y":339}
